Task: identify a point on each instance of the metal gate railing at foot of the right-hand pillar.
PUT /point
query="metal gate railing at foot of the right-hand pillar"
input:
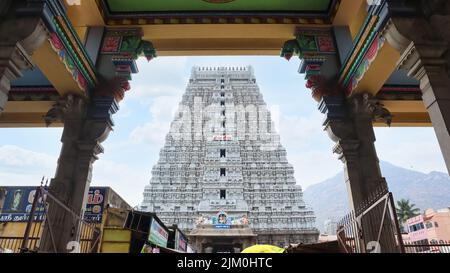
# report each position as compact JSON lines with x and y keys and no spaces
{"x":373,"y":227}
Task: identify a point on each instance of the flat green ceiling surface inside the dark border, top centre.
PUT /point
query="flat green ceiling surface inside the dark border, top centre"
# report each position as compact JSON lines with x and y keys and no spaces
{"x":200,"y":5}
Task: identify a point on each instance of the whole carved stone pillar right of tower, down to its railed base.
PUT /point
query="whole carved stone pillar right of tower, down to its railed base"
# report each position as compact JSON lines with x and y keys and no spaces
{"x":349,"y":123}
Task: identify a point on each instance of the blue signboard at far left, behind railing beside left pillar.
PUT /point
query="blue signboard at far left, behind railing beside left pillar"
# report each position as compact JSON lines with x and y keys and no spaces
{"x":17,"y":205}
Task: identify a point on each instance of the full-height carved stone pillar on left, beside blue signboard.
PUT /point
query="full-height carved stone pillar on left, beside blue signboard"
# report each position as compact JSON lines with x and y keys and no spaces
{"x":86,"y":126}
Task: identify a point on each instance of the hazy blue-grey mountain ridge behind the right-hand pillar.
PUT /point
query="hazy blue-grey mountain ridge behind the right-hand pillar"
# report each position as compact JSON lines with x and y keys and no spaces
{"x":432,"y":190}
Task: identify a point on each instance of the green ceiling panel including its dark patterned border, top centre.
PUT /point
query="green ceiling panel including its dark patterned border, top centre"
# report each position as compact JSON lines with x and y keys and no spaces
{"x":119,"y":12}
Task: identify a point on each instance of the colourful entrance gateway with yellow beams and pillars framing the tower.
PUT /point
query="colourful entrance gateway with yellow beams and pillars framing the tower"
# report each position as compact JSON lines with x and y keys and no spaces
{"x":367,"y":63}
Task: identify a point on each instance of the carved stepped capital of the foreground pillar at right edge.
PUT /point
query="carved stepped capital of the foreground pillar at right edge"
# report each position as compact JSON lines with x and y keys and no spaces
{"x":425,"y":51}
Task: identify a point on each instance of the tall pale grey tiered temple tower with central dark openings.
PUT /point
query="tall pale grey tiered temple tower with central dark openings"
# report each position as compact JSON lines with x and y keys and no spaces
{"x":222,"y":154}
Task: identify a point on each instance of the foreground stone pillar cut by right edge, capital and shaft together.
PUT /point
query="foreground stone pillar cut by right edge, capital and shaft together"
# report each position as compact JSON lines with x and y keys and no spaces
{"x":423,"y":39}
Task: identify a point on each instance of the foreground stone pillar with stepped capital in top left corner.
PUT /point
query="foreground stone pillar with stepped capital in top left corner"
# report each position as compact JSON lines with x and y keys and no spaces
{"x":21,"y":33}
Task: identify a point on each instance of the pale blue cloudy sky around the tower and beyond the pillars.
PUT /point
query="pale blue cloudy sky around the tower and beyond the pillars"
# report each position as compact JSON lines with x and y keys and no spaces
{"x":145,"y":115}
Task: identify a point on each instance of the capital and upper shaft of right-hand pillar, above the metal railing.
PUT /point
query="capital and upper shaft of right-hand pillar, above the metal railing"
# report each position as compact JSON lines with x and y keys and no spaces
{"x":348,"y":123}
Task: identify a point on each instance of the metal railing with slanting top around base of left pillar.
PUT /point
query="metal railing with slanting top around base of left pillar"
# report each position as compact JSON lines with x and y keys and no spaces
{"x":87,"y":237}
